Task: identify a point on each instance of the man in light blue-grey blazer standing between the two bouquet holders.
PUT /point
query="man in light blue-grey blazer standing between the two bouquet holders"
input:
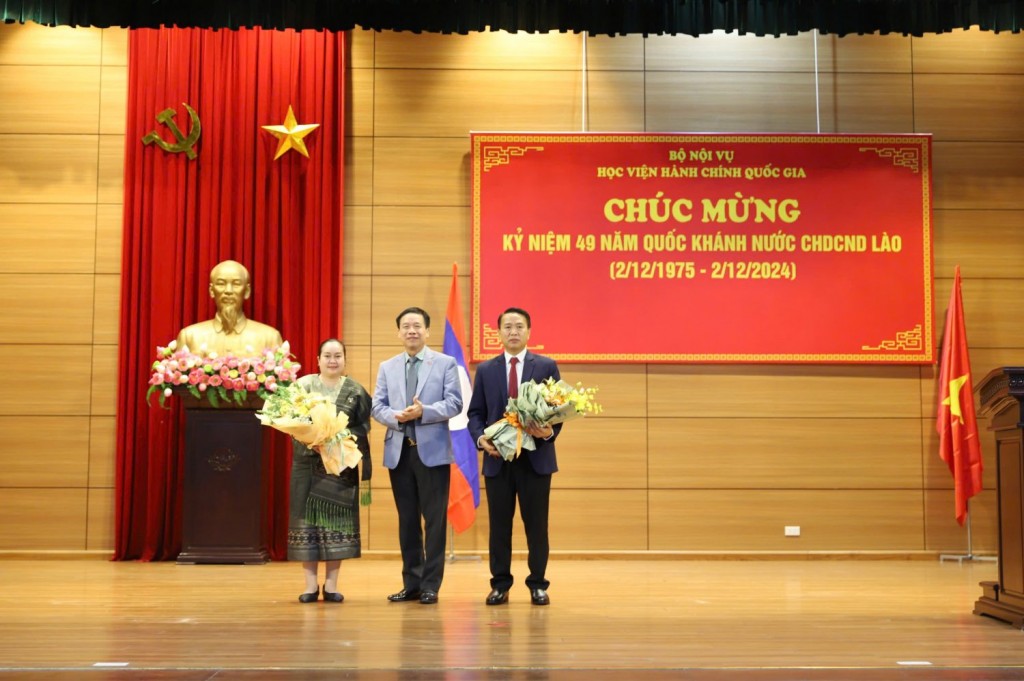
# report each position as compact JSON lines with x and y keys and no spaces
{"x":417,"y":393}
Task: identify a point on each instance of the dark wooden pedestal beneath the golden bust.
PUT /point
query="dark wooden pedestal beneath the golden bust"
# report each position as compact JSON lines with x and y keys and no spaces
{"x":223,"y":505}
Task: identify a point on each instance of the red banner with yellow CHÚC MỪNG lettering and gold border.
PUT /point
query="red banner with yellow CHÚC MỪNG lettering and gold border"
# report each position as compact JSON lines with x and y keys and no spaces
{"x":706,"y":248}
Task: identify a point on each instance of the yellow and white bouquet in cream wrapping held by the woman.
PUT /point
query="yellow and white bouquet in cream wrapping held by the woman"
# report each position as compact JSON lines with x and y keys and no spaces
{"x":315,"y":421}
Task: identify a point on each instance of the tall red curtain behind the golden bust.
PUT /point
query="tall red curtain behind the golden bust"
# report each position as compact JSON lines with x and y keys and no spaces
{"x":282,"y":220}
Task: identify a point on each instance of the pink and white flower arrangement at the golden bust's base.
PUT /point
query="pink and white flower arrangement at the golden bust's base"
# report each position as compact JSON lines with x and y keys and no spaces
{"x":222,"y":379}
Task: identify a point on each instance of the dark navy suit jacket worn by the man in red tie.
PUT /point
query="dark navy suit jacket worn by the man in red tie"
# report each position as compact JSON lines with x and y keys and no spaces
{"x":491,"y":396}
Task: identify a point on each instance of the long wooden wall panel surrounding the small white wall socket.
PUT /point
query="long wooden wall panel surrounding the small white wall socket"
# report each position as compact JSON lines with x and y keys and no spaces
{"x":754,"y":521}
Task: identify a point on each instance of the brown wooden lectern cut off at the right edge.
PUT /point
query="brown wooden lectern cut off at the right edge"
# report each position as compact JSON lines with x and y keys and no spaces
{"x":1001,"y":396}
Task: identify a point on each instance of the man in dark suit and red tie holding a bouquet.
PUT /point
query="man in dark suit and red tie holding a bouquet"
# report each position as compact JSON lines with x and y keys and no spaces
{"x":529,"y":477}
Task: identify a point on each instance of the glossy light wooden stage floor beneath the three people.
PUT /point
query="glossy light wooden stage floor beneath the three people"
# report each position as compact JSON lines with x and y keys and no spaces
{"x":624,"y":619}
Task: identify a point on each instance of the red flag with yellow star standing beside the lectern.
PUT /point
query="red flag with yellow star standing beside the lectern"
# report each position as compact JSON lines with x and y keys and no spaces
{"x":957,"y":423}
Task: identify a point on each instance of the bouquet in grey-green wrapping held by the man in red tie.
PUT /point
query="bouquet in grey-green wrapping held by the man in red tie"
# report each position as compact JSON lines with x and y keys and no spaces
{"x":539,"y":405}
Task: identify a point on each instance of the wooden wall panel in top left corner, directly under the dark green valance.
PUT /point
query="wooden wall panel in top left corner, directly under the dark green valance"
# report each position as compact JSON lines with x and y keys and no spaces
{"x":35,"y":45}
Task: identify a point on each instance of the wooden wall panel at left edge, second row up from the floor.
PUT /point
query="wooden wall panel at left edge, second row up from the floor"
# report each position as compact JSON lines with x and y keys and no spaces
{"x":45,"y":452}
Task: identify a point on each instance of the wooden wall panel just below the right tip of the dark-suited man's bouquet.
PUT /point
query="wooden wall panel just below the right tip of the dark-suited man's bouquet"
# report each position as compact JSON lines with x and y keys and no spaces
{"x":603,"y":454}
